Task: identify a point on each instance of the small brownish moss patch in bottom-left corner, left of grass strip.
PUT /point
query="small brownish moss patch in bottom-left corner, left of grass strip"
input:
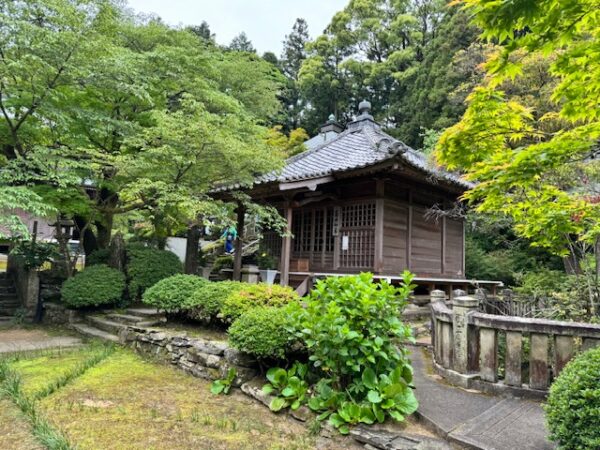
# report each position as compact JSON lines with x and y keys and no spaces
{"x":15,"y":431}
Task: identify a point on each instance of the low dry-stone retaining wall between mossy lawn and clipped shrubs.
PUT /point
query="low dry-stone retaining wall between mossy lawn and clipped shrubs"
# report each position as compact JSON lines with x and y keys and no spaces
{"x":204,"y":358}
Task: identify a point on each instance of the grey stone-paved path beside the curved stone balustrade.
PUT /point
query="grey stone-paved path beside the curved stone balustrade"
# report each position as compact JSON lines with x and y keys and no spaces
{"x":476,"y":420}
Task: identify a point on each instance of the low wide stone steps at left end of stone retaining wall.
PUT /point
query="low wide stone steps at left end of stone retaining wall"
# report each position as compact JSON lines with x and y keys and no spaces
{"x":107,"y":324}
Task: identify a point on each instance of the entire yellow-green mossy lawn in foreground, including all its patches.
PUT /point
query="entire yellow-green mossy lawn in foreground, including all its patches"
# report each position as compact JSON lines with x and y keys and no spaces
{"x":121,"y":401}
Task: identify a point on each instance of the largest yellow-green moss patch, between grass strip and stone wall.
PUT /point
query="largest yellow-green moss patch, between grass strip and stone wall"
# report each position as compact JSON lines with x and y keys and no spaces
{"x":125,"y":402}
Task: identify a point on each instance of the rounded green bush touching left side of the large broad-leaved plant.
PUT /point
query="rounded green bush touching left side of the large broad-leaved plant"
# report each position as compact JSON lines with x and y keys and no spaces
{"x":262,"y":332}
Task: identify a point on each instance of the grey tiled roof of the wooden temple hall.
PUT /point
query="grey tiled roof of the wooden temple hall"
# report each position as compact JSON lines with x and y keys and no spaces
{"x":361,"y":145}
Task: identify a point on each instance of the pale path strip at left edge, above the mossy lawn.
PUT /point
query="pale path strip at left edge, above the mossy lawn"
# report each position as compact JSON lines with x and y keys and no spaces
{"x":20,"y":340}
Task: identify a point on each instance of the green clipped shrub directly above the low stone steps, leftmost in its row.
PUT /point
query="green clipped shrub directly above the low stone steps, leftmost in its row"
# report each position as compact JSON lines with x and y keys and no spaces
{"x":173,"y":293}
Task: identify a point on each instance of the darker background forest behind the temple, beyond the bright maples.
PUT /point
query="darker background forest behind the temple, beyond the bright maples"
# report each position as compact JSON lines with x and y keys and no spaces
{"x":416,"y":61}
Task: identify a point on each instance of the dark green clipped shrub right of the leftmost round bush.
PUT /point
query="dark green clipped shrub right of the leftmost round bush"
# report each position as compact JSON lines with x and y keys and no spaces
{"x":146,"y":266}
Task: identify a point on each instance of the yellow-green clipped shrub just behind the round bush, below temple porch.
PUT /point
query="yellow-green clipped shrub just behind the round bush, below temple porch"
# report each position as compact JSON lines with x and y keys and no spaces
{"x":252,"y":295}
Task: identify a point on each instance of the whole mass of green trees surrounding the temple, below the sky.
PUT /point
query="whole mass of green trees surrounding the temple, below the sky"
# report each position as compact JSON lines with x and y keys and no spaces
{"x":153,"y":116}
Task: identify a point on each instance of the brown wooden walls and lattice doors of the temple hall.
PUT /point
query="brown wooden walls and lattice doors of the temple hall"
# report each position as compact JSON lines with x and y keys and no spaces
{"x":385,"y":226}
